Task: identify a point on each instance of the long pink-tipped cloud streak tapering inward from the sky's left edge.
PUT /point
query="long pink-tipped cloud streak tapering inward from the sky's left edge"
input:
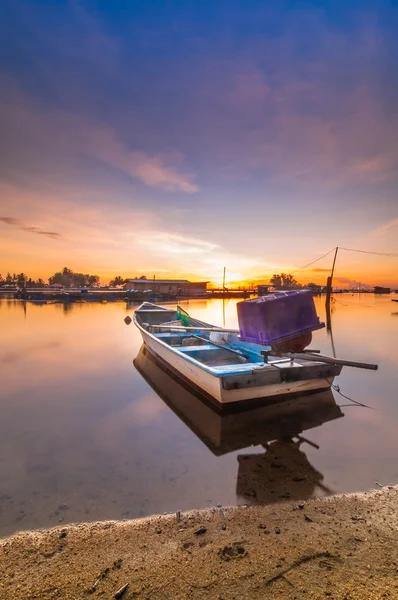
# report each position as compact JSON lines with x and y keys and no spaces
{"x":63,"y":137}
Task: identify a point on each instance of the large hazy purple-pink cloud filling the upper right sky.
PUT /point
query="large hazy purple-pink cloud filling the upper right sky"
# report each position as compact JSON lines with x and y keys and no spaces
{"x":269,"y":113}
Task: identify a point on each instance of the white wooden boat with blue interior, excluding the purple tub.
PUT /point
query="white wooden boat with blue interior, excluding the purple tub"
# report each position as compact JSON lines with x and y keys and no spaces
{"x":225,"y":369}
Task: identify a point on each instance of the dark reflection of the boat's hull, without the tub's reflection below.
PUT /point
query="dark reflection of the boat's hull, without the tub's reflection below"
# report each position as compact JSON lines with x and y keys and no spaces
{"x":227,"y":432}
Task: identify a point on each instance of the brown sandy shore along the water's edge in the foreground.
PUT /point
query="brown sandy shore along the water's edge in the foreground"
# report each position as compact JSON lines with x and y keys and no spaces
{"x":344,"y":547}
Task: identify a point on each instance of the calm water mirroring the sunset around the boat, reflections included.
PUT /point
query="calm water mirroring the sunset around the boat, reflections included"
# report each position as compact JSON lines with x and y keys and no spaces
{"x":83,"y":436}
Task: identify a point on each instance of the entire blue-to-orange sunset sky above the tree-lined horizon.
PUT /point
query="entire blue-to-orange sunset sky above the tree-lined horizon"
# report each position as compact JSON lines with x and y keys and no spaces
{"x":173,"y":138}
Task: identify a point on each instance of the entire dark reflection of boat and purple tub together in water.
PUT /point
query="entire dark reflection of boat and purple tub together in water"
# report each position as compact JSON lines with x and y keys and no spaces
{"x":281,"y":470}
